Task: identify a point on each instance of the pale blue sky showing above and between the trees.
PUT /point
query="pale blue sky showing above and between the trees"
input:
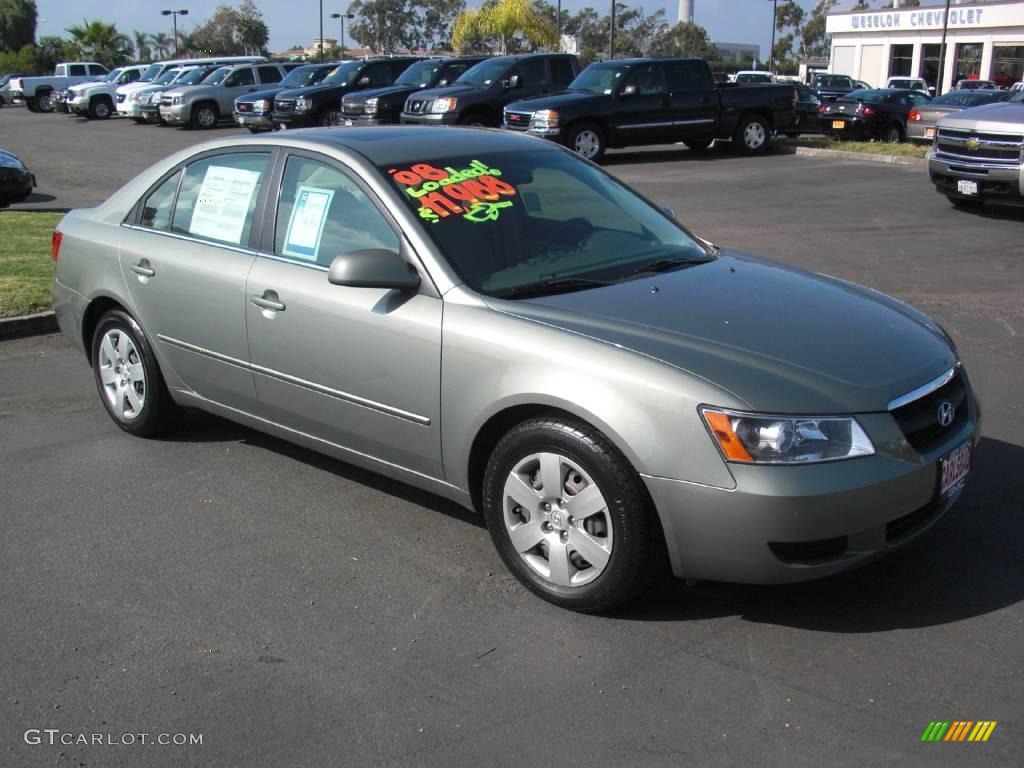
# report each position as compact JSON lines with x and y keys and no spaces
{"x":295,"y":21}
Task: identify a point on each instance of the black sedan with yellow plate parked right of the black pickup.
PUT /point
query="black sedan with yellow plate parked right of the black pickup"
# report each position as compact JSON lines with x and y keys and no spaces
{"x":872,"y":113}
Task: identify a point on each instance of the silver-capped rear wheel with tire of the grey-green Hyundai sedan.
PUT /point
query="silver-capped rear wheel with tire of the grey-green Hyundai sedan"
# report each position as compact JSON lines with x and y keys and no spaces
{"x":129,"y":378}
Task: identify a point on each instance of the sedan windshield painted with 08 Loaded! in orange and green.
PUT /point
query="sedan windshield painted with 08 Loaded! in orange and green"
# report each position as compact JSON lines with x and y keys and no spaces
{"x":521,"y":224}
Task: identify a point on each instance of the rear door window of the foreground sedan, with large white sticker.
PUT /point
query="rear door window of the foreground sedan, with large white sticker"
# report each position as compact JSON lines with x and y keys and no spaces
{"x":219,"y":196}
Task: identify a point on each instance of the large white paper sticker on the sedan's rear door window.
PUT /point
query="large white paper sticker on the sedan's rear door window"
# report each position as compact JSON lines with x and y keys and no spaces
{"x":224,"y":203}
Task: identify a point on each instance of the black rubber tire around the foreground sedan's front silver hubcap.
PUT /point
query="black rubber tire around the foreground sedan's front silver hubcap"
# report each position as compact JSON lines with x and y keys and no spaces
{"x":637,"y":544}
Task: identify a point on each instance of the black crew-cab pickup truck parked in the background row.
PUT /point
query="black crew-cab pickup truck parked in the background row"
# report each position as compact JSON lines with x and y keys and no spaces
{"x":632,"y":102}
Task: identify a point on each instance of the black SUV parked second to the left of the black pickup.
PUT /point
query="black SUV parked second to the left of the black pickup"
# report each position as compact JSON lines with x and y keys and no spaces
{"x":383,"y":106}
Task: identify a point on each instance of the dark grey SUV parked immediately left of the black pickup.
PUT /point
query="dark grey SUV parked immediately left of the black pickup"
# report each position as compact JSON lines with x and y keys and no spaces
{"x":482,"y":94}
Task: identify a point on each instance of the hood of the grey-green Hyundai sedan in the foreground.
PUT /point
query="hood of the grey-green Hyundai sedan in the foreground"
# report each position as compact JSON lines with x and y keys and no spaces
{"x":778,"y":338}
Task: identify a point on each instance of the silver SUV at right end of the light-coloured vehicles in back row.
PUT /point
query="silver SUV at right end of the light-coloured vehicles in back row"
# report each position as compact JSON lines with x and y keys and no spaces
{"x":203,"y":106}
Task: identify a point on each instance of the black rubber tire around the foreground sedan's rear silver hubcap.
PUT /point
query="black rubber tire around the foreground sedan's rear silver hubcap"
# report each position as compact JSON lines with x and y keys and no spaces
{"x":157,"y":407}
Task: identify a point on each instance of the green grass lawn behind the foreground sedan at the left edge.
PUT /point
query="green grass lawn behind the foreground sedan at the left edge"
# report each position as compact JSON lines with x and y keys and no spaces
{"x":26,"y":270}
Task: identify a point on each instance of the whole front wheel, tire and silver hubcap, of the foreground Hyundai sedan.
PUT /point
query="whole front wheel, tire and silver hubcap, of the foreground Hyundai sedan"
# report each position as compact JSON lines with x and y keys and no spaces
{"x":570,"y":517}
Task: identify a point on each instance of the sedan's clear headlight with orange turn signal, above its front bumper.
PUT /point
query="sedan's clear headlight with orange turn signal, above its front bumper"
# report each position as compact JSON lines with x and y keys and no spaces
{"x":753,"y":439}
